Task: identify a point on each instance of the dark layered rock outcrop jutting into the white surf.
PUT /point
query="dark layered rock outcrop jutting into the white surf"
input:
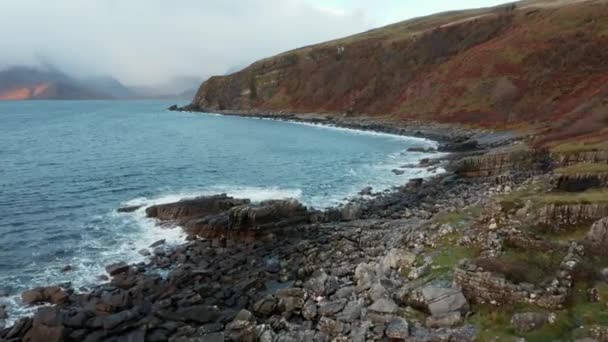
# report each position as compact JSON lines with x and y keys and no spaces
{"x":221,"y":216}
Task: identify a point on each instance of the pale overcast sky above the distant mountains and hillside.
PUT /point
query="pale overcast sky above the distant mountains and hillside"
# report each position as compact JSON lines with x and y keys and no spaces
{"x":150,"y":41}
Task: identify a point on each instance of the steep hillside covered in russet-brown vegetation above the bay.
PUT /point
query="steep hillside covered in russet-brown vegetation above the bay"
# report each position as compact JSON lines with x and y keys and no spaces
{"x":537,"y":65}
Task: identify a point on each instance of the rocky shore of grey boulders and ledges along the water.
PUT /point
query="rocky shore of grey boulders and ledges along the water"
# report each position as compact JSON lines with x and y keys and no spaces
{"x":428,"y":261}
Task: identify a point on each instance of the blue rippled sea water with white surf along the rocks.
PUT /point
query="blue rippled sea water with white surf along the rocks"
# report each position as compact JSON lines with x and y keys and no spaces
{"x":66,"y":166}
